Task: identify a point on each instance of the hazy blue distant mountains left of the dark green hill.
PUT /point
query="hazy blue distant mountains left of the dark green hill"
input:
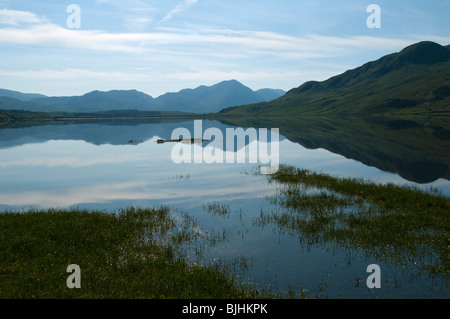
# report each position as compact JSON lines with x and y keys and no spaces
{"x":203,"y":99}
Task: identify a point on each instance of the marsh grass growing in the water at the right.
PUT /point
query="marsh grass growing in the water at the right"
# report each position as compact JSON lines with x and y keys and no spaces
{"x":396,"y":224}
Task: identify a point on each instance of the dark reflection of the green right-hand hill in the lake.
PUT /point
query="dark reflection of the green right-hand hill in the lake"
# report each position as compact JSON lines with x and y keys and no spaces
{"x":418,"y":149}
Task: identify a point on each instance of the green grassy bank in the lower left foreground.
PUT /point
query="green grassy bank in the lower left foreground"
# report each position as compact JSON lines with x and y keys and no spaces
{"x":132,"y":254}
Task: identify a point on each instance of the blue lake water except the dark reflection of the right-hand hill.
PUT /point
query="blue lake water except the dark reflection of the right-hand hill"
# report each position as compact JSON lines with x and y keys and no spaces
{"x":109,"y":166}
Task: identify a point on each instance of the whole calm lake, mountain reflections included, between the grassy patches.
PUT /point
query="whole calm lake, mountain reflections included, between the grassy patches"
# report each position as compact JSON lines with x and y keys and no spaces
{"x":116,"y":164}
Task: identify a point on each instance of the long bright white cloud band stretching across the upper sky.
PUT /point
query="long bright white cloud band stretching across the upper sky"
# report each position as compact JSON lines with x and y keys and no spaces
{"x":215,"y":43}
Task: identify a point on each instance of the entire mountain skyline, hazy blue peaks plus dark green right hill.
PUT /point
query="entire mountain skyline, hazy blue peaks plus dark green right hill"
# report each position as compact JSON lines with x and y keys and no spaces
{"x":415,"y":80}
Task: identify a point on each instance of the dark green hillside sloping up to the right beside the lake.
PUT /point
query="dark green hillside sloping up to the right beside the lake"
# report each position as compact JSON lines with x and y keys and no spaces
{"x":414,"y":80}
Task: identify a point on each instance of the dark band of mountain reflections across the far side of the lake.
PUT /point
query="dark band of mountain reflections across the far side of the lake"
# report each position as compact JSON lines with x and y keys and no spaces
{"x":417,"y":149}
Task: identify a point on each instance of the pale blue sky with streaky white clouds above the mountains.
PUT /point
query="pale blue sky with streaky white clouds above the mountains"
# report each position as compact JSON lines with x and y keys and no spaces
{"x":67,"y":48}
